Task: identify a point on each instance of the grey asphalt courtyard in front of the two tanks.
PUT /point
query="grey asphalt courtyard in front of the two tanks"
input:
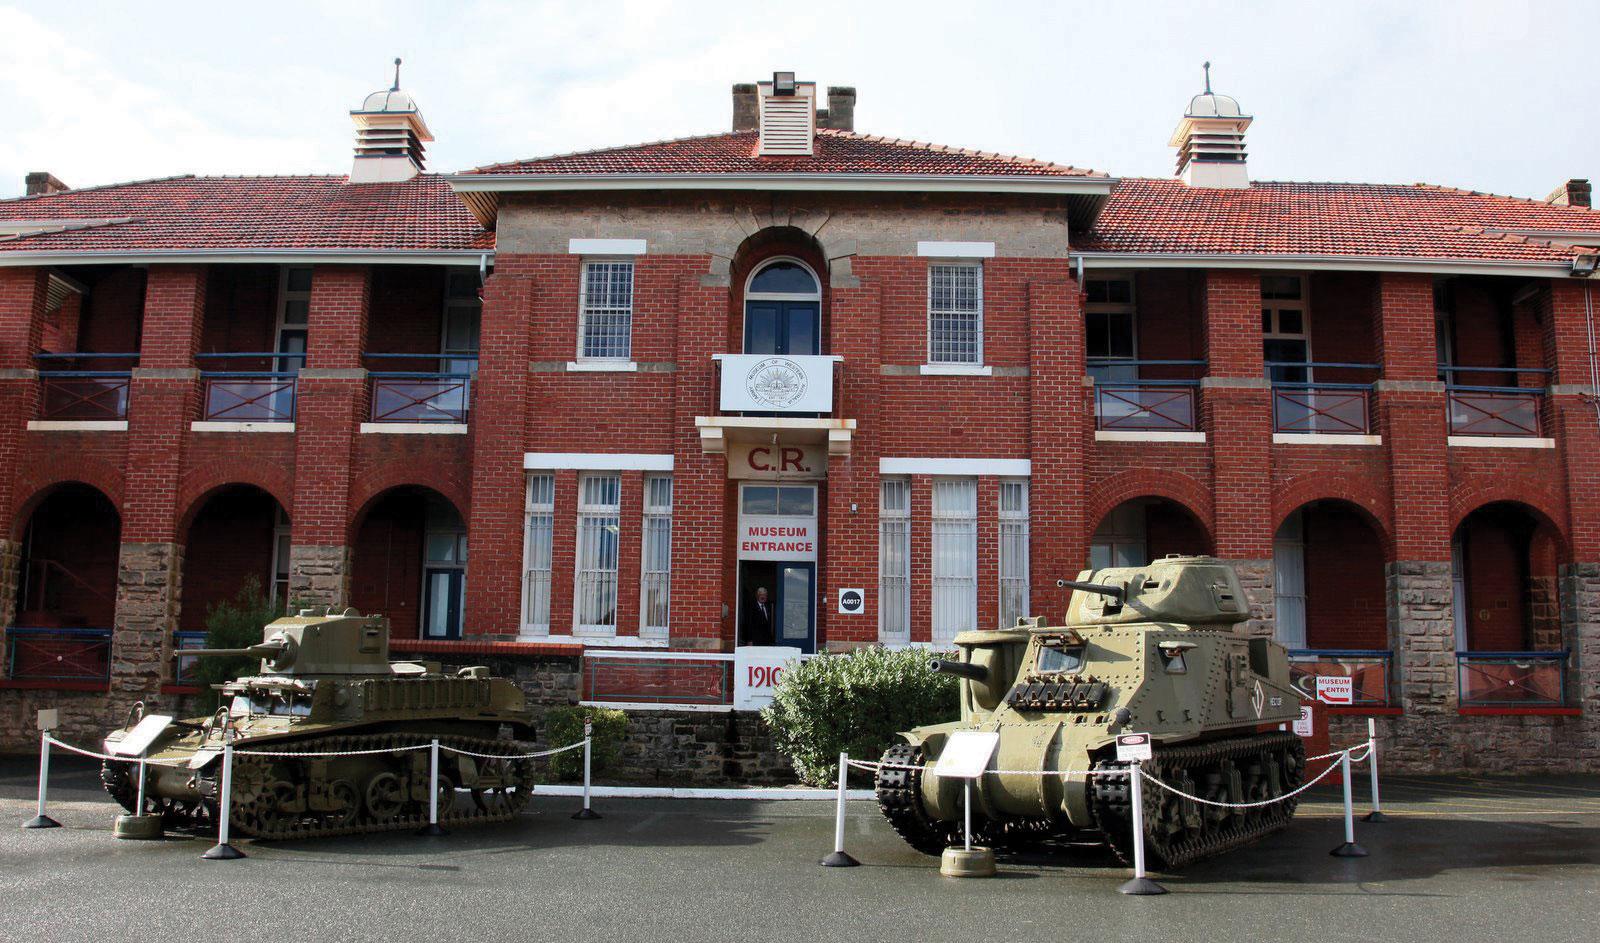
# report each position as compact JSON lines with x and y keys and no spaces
{"x":1463,"y":859}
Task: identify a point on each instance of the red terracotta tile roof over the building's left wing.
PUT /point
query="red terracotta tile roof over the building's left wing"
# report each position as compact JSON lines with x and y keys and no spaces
{"x":250,"y":214}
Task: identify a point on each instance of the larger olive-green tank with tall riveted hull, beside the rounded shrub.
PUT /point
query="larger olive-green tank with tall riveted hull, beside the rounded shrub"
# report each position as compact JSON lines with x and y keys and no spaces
{"x":1145,"y":651}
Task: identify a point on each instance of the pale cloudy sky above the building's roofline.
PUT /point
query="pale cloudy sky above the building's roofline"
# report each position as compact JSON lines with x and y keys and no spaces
{"x":1500,"y":97}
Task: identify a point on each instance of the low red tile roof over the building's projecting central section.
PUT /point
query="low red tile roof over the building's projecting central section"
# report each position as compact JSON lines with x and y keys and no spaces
{"x":836,"y":153}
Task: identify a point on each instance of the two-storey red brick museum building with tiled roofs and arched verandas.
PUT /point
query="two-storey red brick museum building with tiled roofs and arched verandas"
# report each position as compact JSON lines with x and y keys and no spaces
{"x":599,"y":403}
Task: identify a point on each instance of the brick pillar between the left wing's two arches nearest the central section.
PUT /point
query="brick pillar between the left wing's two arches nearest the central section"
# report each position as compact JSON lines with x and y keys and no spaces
{"x":330,"y":403}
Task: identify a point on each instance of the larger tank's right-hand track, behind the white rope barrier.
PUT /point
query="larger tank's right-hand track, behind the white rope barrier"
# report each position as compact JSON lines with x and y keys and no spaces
{"x":1178,"y":832}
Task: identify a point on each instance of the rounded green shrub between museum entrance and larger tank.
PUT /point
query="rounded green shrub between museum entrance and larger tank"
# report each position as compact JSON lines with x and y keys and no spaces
{"x":855,"y":704}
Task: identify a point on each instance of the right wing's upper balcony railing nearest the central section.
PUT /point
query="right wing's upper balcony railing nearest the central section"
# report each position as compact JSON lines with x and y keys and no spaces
{"x":1146,"y":396}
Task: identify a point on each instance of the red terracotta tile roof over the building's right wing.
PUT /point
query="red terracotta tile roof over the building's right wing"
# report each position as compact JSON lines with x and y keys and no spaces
{"x":1329,"y":219}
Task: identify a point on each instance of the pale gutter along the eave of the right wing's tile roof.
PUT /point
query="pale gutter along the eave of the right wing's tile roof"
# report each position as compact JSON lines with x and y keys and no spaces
{"x":1302,"y":263}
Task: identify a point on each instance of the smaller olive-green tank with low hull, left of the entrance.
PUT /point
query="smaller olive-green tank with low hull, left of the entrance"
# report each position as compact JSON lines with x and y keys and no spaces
{"x":327,"y":686}
